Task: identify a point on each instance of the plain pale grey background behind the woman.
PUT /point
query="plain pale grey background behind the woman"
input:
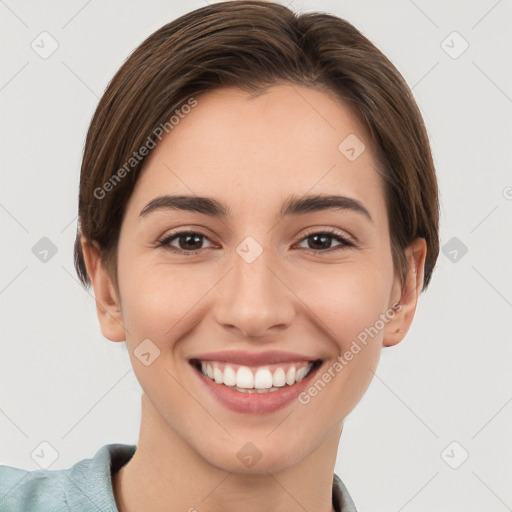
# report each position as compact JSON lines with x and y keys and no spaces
{"x":450,"y":380}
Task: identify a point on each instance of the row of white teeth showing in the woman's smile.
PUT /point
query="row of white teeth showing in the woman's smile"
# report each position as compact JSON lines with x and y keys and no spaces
{"x":263,"y":381}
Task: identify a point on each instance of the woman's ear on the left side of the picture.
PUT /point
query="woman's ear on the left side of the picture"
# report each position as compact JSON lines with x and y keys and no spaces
{"x":108,"y":305}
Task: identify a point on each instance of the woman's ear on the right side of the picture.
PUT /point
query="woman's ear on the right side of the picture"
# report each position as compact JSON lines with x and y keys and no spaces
{"x":408,"y":294}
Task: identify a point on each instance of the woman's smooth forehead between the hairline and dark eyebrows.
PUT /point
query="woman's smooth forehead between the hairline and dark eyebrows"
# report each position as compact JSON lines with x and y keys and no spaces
{"x":254,"y":149}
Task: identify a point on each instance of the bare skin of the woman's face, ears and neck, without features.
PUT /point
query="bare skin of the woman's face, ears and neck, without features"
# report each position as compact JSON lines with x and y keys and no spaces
{"x":251,"y":154}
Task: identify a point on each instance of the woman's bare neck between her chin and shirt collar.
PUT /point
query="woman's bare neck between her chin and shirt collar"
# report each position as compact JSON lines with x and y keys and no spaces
{"x":166,"y":474}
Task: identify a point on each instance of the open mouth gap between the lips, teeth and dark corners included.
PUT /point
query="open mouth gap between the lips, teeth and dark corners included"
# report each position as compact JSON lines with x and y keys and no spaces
{"x":255,"y":379}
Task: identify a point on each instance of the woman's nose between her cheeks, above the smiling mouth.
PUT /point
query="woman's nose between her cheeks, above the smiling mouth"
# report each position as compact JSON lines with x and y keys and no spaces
{"x":254,"y":298}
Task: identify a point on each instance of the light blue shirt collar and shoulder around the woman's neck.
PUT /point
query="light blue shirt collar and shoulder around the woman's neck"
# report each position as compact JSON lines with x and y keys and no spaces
{"x":87,"y":486}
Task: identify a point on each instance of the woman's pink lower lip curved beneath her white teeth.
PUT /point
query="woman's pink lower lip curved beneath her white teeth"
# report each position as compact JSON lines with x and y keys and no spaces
{"x":256,"y":403}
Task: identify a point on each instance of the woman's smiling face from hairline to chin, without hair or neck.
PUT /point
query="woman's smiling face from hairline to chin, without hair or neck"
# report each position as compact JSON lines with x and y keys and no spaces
{"x":262,"y":285}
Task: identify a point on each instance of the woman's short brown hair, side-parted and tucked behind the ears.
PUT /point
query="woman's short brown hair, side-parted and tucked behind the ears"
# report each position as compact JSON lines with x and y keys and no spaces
{"x":251,"y":45}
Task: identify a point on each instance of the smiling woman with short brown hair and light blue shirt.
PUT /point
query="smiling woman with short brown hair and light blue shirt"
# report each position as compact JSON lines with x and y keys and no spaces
{"x":258,"y":214}
